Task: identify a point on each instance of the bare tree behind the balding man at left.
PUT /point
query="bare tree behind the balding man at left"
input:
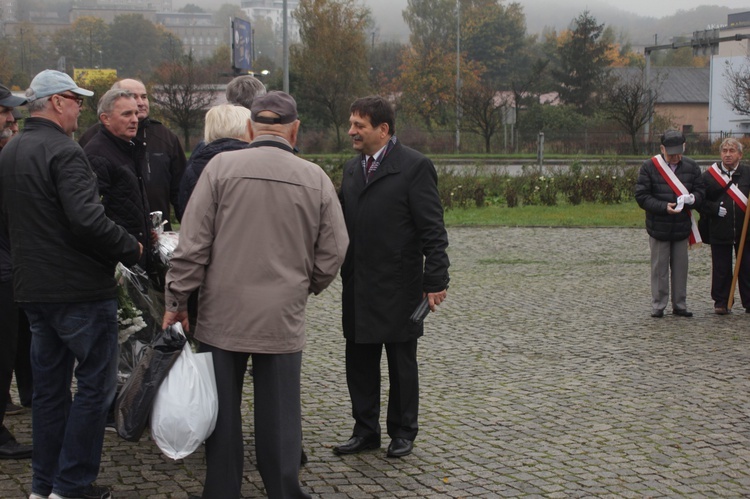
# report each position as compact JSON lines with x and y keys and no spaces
{"x":183,"y":94}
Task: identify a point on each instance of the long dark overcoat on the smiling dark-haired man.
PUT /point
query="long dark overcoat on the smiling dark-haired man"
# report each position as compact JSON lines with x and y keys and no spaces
{"x":397,"y":246}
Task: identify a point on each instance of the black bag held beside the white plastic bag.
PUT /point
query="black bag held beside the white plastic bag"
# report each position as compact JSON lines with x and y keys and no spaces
{"x":136,"y":398}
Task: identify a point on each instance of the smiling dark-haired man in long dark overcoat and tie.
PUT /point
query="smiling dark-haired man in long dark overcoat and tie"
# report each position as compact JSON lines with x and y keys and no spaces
{"x":396,"y":257}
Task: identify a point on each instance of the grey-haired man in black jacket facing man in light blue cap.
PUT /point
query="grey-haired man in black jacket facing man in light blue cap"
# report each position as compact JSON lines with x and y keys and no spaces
{"x":115,"y":159}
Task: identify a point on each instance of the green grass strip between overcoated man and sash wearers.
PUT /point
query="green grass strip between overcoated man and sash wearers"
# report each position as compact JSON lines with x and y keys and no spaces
{"x":584,"y":215}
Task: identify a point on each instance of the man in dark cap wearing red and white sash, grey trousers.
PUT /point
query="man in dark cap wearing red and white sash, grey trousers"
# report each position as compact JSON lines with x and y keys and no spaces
{"x":670,"y":188}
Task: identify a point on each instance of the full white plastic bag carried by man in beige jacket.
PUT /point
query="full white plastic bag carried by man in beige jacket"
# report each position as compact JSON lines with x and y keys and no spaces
{"x":186,"y":405}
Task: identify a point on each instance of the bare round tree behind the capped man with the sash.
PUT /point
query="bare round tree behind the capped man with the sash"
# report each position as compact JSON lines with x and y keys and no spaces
{"x":630,"y":101}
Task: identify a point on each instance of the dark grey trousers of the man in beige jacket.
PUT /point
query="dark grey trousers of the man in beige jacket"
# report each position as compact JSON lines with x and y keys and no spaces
{"x":278,"y":424}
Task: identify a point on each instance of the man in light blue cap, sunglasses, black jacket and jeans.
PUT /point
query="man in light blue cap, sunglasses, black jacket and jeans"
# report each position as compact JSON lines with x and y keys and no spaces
{"x":64,"y":250}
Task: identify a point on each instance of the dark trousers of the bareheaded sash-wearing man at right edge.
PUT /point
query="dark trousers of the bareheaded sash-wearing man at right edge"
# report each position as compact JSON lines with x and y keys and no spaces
{"x":722,"y":273}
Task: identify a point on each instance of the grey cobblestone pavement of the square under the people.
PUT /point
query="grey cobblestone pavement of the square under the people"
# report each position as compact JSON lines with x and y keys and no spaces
{"x":543,"y":375}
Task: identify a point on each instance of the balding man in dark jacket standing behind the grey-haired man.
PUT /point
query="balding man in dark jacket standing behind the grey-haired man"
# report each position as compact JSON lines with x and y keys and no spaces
{"x":163,"y":162}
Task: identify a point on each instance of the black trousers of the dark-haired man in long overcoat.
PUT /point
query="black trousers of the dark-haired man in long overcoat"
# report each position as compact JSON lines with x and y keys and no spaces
{"x":363,"y":379}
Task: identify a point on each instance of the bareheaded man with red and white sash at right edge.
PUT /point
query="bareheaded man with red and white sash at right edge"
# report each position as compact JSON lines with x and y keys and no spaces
{"x":727,"y":188}
